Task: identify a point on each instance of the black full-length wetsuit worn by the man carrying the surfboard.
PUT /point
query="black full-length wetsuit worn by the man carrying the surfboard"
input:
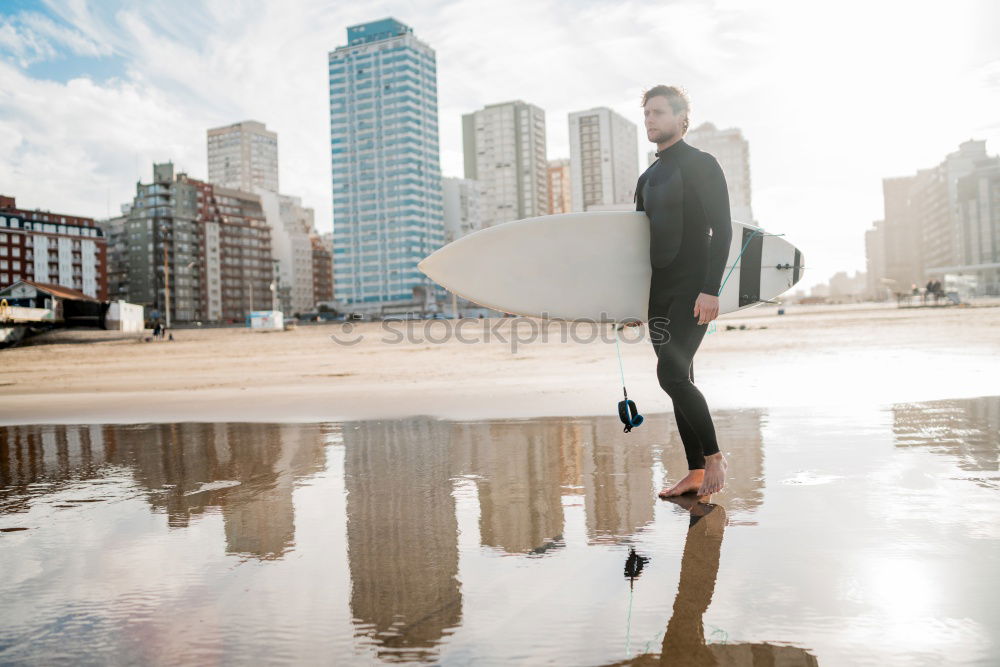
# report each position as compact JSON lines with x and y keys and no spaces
{"x":684,"y":195}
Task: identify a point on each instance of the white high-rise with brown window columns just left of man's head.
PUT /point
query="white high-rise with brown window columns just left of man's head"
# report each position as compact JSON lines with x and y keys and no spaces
{"x":604,"y":164}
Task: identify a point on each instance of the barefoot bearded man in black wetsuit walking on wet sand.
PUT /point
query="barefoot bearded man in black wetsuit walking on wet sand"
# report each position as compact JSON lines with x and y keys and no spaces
{"x":684,"y":195}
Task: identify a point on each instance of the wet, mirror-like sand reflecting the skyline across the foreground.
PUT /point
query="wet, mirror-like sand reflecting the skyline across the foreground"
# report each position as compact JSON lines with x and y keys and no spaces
{"x":868,"y":539}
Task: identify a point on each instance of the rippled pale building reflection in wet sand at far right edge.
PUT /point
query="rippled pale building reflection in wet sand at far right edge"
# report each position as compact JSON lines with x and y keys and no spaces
{"x":967,"y":429}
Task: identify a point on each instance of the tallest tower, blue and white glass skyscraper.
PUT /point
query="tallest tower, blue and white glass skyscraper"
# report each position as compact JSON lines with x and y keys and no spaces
{"x":386,"y":171}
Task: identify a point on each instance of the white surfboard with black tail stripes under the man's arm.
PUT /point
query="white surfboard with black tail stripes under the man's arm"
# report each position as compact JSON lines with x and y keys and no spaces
{"x":595,"y":266}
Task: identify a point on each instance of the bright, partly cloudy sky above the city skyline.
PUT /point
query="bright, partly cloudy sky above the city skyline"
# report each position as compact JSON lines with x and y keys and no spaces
{"x":832,"y":96}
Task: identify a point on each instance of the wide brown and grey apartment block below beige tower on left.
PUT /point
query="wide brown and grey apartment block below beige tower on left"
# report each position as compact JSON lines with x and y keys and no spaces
{"x":196,"y":250}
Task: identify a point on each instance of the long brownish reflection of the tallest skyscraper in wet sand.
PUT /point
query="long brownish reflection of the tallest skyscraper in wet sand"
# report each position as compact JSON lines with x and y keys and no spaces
{"x":402,"y":537}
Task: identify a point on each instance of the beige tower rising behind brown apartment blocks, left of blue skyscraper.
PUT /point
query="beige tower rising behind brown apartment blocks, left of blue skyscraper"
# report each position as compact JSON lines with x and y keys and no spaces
{"x":243,"y":156}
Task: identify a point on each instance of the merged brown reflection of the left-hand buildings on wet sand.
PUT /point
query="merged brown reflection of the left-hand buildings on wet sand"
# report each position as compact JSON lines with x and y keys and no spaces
{"x":186,"y":470}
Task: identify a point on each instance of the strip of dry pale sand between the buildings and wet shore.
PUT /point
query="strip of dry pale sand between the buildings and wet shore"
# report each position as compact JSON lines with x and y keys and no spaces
{"x":500,"y":368}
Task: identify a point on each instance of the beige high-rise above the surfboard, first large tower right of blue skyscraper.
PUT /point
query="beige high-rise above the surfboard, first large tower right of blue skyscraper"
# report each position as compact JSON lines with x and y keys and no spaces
{"x":504,"y":147}
